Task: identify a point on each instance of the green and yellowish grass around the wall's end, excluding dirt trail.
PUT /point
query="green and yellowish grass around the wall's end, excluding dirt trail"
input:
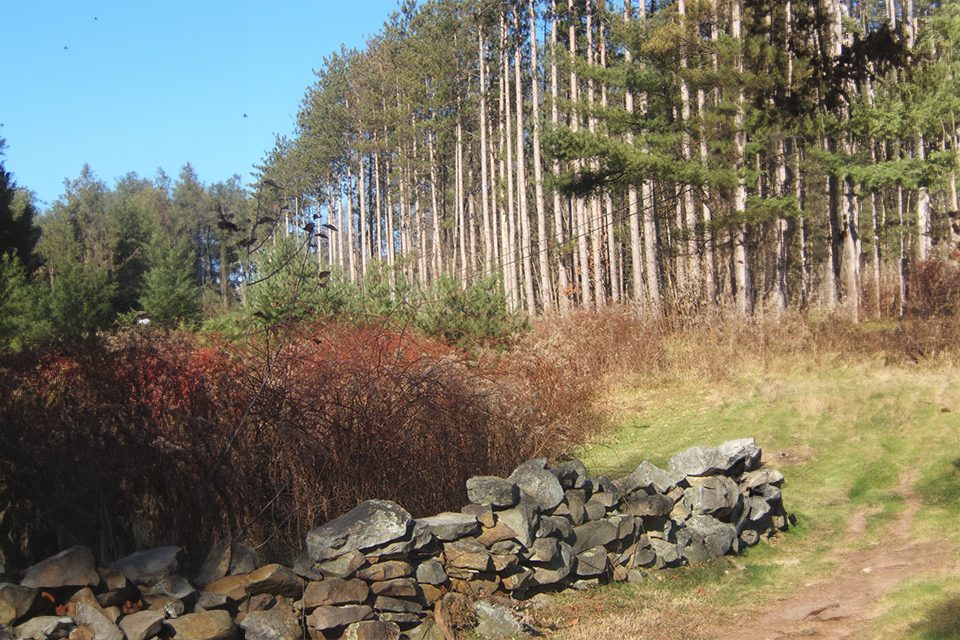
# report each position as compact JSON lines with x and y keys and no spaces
{"x":847,"y":438}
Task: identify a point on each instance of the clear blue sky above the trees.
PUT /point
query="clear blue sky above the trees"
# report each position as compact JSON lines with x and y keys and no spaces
{"x":133,"y":85}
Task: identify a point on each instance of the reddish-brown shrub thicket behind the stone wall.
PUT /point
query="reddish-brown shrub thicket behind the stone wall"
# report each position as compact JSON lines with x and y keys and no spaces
{"x":149,"y":438}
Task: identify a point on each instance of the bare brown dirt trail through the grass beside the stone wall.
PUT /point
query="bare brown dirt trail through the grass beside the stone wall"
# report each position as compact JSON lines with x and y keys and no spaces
{"x":843,"y":603}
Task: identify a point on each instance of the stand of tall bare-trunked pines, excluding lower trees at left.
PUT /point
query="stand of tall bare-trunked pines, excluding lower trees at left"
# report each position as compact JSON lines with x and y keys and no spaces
{"x":749,"y":154}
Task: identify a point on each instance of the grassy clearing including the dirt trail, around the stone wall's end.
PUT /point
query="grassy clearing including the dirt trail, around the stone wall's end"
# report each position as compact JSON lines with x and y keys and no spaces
{"x":871,"y":453}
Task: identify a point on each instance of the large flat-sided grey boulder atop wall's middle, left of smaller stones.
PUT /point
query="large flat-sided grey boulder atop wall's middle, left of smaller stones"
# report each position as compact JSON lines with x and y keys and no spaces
{"x":370,"y":524}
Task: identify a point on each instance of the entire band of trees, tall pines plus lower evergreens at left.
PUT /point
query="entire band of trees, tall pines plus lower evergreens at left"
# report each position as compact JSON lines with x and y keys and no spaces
{"x":746,"y":155}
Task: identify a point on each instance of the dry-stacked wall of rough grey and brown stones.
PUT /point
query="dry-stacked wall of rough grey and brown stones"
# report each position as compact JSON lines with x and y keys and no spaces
{"x":376,"y":572}
